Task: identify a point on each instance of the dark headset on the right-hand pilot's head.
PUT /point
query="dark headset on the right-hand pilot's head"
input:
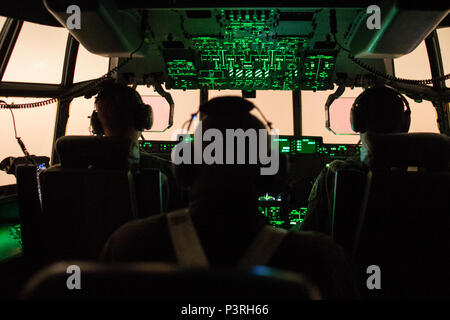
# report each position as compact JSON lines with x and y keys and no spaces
{"x":359,"y":113}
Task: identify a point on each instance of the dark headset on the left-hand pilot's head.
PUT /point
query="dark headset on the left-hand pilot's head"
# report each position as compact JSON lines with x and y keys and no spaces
{"x":143,"y":113}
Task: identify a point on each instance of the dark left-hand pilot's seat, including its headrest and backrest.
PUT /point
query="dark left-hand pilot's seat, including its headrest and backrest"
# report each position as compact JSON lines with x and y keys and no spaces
{"x":87,"y":197}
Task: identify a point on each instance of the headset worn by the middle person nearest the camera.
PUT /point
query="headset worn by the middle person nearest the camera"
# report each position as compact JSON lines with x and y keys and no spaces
{"x":186,"y":173}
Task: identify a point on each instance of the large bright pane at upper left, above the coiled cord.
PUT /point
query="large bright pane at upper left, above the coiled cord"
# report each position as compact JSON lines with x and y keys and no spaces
{"x":38,"y":55}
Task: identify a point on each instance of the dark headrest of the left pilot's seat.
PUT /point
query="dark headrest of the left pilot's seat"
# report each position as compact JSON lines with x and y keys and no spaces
{"x":97,"y":152}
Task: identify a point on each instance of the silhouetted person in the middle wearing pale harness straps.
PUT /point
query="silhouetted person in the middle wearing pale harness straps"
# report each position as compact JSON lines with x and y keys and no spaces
{"x":222,"y":227}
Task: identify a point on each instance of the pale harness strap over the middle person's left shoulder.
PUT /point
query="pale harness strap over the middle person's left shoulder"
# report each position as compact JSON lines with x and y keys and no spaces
{"x":188,"y":249}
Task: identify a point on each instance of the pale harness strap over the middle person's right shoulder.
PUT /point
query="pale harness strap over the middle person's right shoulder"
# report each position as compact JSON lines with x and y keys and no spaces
{"x":263,"y":247}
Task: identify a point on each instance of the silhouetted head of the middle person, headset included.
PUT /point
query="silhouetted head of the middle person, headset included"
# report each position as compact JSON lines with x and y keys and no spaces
{"x":229,"y":151}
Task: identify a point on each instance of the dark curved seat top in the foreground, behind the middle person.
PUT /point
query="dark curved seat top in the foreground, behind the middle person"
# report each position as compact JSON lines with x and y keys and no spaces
{"x":163,"y":282}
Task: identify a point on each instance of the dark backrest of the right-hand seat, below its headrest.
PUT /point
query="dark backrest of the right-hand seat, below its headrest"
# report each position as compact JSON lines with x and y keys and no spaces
{"x":406,"y":232}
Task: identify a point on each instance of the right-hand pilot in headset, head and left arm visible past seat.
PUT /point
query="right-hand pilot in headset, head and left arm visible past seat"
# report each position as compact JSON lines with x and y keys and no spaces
{"x":377,"y":110}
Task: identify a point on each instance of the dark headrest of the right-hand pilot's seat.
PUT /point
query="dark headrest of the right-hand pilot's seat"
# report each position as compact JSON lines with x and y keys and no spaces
{"x":399,"y":150}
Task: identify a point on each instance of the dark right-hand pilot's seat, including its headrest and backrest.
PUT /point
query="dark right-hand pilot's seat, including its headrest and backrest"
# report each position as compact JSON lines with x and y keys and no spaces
{"x":403,"y":217}
